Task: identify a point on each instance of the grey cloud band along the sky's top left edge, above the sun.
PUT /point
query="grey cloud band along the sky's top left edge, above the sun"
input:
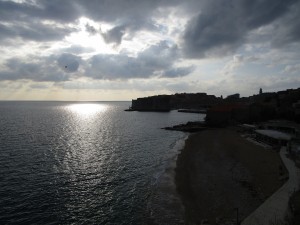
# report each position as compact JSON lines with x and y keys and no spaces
{"x":70,"y":10}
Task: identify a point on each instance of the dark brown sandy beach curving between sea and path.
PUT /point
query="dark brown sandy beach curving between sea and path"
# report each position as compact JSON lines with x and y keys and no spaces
{"x":218,"y":171}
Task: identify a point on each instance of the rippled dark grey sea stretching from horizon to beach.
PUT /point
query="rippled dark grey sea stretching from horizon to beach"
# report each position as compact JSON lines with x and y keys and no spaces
{"x":87,"y":163}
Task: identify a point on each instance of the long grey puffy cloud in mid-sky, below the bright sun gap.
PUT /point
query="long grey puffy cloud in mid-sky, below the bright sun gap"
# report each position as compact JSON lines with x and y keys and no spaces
{"x":157,"y":60}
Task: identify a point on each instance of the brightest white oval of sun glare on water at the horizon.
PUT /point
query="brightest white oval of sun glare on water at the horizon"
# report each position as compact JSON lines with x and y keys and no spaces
{"x":87,"y":109}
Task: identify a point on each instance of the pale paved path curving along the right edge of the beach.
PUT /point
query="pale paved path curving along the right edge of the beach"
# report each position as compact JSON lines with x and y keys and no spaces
{"x":275,"y":208}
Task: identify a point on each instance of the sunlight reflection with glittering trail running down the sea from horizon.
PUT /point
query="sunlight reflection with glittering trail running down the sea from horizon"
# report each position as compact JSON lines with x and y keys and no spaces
{"x":83,"y":135}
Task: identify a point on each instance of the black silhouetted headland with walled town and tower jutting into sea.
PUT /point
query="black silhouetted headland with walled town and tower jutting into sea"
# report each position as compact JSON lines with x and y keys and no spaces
{"x":221,"y":112}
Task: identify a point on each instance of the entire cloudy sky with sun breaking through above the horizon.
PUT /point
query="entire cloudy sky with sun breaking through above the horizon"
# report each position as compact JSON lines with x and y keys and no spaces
{"x":124,"y":49}
